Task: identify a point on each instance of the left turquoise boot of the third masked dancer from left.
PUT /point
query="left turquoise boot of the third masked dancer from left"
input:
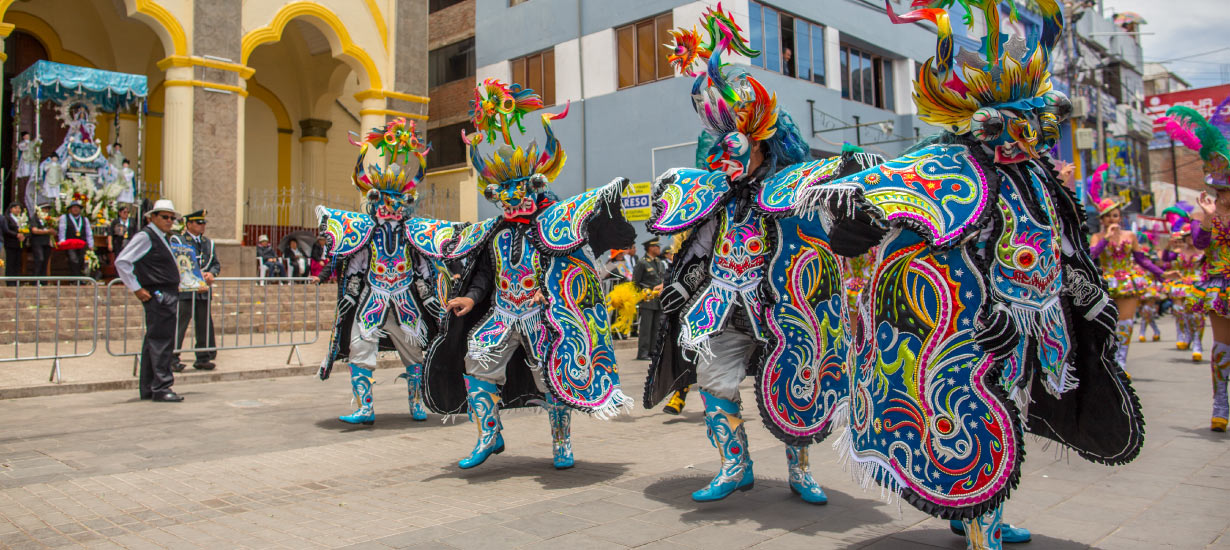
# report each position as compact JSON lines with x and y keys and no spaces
{"x":728,"y":435}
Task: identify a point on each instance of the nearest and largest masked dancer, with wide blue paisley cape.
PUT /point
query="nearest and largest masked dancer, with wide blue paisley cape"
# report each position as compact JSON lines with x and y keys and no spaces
{"x":987,"y":316}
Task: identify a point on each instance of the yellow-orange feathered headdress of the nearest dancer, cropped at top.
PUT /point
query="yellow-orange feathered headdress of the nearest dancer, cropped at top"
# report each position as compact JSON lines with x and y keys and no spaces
{"x":1006,"y":72}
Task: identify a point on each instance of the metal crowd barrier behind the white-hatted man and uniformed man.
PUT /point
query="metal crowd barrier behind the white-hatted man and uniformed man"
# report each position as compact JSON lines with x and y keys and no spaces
{"x":247,"y":313}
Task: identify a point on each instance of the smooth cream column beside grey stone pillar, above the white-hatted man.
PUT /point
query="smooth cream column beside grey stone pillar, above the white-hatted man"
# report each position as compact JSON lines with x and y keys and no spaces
{"x":178,"y":153}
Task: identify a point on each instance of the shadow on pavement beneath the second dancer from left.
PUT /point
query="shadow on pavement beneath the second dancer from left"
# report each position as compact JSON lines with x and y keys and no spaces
{"x":500,"y":468}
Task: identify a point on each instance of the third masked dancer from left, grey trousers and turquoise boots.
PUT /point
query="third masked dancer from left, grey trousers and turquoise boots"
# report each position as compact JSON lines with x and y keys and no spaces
{"x":728,"y":308}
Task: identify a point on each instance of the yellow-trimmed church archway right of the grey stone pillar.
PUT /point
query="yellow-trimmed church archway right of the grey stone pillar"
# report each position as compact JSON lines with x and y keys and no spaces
{"x":298,"y":119}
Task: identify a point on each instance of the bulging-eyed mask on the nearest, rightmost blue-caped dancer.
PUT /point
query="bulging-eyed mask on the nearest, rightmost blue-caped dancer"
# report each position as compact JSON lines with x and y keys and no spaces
{"x":1022,"y":131}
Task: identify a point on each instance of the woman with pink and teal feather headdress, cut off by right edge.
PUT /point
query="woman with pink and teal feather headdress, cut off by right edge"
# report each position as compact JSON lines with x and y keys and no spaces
{"x":1212,"y":234}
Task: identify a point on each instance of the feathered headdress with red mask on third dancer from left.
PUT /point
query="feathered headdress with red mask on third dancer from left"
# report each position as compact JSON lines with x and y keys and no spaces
{"x":734,"y":106}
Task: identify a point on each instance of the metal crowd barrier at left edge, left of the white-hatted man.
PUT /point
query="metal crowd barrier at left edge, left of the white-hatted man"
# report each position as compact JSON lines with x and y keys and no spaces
{"x":49,"y":318}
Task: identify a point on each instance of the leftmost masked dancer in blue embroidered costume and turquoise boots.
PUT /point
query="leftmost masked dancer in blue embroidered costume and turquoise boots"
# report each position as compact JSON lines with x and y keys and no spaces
{"x":386,"y":269}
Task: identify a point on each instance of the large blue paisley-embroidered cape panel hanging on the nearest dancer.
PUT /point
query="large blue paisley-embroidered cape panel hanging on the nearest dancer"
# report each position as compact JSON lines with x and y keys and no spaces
{"x":922,"y":418}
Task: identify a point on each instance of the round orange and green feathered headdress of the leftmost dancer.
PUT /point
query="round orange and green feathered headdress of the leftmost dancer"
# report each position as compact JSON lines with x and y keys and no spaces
{"x":405,"y":157}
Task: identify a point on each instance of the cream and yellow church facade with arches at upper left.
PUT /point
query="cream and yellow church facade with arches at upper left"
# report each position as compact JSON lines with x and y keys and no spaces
{"x":252,"y":102}
